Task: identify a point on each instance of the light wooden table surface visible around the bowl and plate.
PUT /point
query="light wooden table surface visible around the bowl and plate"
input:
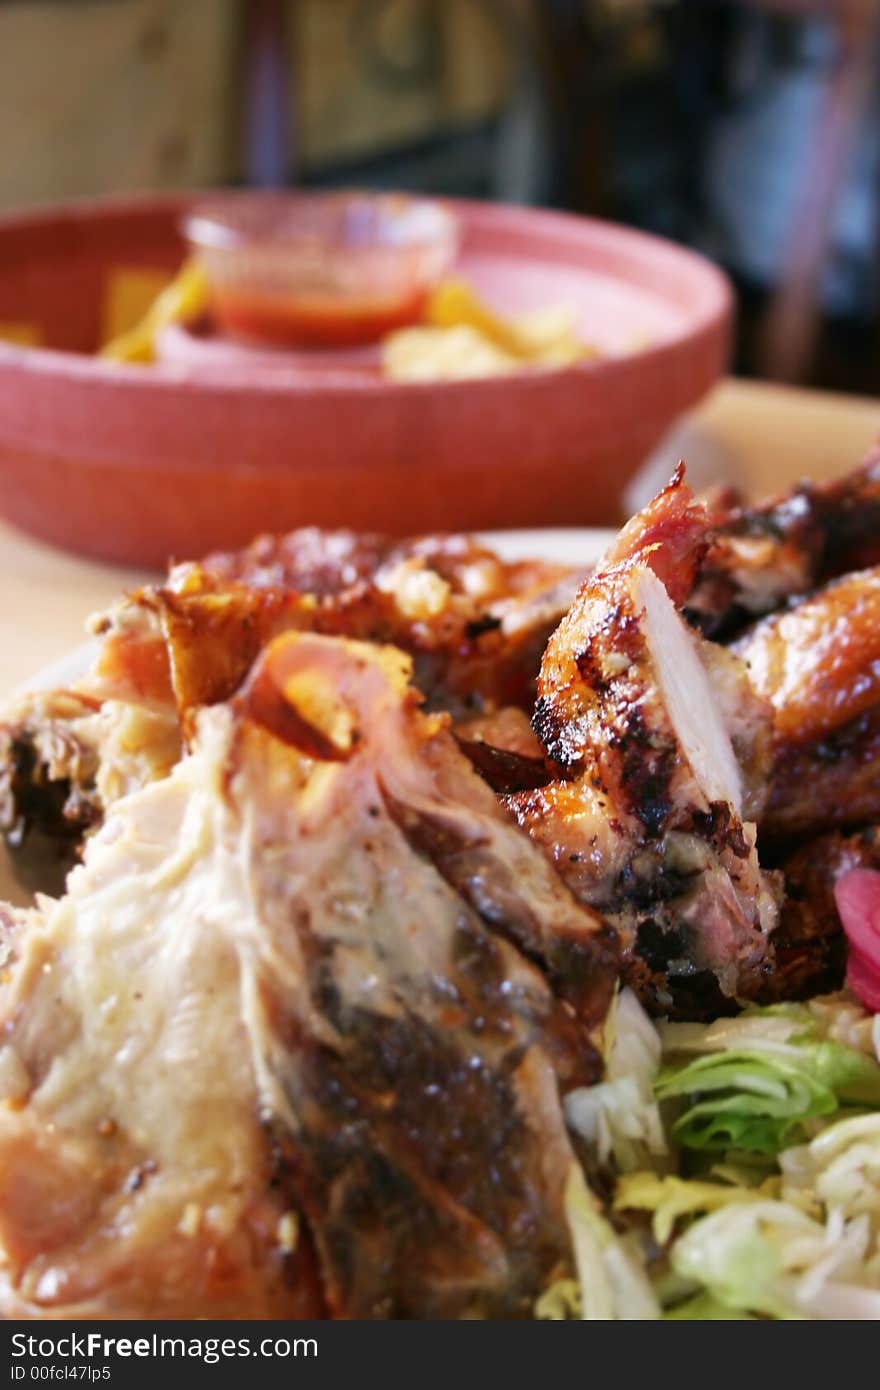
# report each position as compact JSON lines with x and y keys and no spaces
{"x":771,"y":437}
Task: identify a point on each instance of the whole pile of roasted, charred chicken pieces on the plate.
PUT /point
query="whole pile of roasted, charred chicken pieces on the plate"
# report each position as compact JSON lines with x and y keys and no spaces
{"x":297,"y":1035}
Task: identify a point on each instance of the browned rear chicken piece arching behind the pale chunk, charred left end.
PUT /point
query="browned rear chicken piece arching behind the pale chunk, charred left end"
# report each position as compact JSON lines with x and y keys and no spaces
{"x":475,"y":625}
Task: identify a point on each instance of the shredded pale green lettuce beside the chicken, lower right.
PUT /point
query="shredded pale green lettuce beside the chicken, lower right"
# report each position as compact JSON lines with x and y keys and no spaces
{"x":772,"y":1228}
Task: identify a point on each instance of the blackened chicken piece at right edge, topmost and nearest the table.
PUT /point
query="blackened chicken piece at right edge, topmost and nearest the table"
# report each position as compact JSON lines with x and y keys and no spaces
{"x":763,"y":557}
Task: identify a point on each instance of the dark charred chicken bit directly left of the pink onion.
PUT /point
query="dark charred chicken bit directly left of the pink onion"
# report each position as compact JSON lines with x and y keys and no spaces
{"x":811,"y":947}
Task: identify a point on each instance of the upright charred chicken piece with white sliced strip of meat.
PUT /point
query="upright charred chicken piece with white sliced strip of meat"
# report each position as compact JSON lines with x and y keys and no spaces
{"x":647,"y":821}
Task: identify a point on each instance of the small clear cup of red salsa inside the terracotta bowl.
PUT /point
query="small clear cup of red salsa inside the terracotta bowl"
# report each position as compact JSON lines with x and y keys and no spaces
{"x":318,"y":270}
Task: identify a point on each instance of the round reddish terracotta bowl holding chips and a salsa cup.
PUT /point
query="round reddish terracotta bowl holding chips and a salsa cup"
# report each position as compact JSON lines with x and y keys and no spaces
{"x":142,"y":464}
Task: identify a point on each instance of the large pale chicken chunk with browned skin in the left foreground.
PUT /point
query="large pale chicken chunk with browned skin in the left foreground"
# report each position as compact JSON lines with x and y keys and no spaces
{"x":368,"y":993}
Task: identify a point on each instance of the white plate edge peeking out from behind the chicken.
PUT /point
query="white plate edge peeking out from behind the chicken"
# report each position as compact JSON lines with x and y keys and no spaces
{"x":565,"y":547}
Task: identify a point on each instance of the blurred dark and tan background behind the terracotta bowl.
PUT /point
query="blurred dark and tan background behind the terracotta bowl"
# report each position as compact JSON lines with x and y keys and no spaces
{"x":744,"y":129}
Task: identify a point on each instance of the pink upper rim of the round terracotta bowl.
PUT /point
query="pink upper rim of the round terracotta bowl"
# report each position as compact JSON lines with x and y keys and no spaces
{"x":714,"y":315}
